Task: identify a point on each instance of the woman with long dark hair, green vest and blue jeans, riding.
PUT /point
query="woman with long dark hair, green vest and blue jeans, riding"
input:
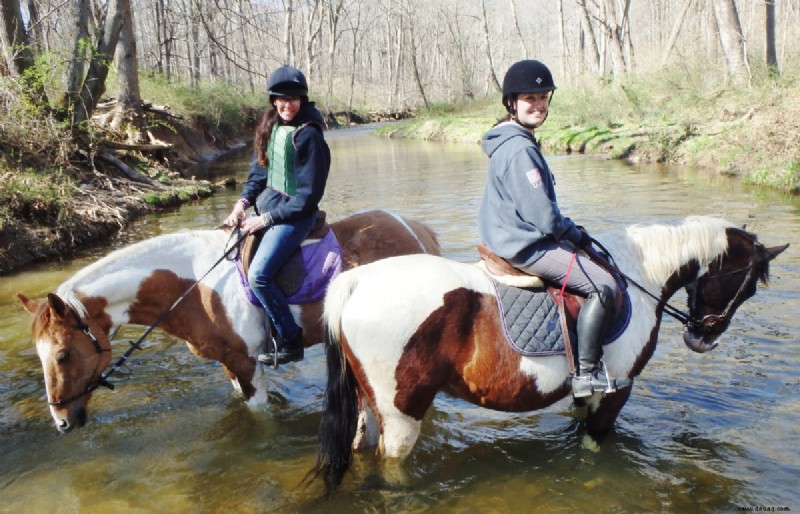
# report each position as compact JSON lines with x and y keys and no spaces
{"x":285,"y":185}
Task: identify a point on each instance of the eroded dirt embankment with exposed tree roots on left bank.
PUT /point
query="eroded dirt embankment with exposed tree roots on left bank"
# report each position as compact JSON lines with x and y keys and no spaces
{"x":116,"y":183}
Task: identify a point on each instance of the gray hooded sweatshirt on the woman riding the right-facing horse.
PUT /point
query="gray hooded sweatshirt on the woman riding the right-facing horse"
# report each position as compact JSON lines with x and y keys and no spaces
{"x":519,"y":208}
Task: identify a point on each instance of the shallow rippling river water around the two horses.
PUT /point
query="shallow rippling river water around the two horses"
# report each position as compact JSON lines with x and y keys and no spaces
{"x":717,"y":432}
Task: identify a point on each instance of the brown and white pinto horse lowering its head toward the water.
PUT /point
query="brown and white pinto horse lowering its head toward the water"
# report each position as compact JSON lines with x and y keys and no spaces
{"x":137,"y":284}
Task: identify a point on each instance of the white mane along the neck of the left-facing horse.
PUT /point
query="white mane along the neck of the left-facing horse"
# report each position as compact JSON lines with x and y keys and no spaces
{"x":120,"y":259}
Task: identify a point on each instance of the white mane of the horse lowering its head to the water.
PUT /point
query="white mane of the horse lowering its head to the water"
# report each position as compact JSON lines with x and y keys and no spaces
{"x":157,"y":251}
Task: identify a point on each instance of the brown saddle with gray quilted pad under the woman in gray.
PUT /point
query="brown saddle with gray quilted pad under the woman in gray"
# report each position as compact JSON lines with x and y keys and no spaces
{"x":539,"y":324}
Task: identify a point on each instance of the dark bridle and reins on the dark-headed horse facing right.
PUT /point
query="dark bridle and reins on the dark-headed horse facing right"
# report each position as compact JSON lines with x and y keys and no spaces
{"x":690,"y":321}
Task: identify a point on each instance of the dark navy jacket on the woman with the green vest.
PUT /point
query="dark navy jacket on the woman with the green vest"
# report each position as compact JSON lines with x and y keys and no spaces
{"x":312,"y":162}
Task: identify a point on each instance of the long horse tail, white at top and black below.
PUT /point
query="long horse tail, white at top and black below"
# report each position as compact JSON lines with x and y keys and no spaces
{"x":338,"y":426}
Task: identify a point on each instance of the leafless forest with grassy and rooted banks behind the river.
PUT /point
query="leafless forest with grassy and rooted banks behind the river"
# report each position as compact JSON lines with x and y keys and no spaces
{"x":105,"y":106}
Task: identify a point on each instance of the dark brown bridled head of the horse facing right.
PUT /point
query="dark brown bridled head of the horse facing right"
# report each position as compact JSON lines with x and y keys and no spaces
{"x":728,"y":282}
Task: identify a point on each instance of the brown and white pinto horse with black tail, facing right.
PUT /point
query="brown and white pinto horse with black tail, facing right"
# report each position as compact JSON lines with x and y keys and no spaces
{"x":403,"y":329}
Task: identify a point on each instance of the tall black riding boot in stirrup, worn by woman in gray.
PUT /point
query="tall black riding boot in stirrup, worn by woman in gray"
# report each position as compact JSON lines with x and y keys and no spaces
{"x":592,"y":323}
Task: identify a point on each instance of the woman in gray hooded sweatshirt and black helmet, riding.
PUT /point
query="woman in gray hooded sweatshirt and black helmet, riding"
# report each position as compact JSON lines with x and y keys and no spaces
{"x":520,"y":220}
